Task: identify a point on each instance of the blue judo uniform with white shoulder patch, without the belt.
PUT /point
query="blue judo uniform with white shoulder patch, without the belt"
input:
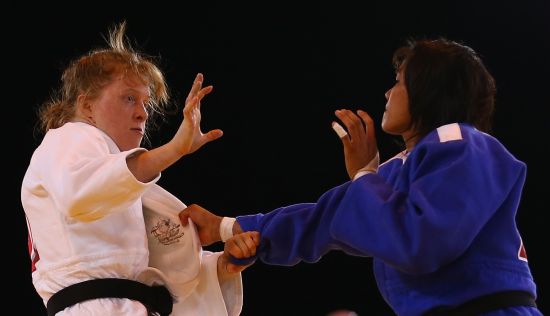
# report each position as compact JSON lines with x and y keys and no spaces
{"x":439,"y":223}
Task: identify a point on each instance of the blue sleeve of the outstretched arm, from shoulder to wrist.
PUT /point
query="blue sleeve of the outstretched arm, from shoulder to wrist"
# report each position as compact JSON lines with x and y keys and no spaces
{"x":423,"y":218}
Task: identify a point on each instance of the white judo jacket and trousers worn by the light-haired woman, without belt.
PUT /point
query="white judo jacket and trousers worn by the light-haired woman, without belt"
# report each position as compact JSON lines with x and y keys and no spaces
{"x":85,"y":212}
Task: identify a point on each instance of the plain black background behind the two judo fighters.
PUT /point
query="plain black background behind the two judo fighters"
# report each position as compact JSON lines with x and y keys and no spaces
{"x":279,"y":71}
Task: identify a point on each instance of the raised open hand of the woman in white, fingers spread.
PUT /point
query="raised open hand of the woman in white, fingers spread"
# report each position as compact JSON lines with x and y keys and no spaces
{"x":189,"y":136}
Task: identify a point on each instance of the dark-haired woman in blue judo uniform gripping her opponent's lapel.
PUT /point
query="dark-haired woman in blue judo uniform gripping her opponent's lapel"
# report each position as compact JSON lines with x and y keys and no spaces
{"x":438,"y":219}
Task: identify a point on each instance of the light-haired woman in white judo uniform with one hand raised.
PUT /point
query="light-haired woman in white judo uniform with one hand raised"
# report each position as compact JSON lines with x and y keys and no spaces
{"x":95,"y":212}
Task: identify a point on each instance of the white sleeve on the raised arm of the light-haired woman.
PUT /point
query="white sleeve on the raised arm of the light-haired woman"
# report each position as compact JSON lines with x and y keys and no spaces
{"x":85,"y":177}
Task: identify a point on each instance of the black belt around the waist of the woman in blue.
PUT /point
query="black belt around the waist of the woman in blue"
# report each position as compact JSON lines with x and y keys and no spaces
{"x":486,"y":303}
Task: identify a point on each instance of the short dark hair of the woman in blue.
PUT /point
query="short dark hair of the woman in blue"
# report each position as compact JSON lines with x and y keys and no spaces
{"x":446,"y":83}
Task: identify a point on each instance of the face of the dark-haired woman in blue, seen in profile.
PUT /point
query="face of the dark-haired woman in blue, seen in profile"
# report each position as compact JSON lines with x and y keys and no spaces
{"x":397,"y":118}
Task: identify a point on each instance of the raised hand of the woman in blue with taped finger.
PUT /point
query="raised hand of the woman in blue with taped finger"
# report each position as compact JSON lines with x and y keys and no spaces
{"x":360,"y":148}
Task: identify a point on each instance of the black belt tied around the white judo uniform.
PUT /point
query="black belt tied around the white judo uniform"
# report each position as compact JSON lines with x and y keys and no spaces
{"x":155,"y":298}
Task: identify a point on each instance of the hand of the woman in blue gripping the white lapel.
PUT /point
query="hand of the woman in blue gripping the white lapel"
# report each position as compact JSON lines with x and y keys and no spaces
{"x":207,"y":223}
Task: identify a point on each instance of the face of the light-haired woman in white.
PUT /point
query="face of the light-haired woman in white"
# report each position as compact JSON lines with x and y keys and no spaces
{"x":120,"y":111}
